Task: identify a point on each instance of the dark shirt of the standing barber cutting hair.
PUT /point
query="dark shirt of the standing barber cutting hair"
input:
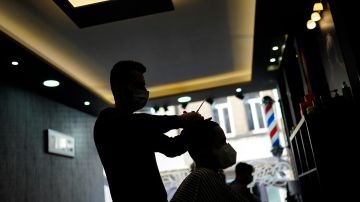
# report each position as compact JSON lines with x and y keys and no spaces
{"x":126,"y":144}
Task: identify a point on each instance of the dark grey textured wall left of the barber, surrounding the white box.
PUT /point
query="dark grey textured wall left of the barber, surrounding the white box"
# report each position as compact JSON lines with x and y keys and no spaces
{"x":27,"y":172}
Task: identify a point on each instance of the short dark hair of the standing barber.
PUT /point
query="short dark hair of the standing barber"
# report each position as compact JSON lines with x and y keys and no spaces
{"x":120,"y":73}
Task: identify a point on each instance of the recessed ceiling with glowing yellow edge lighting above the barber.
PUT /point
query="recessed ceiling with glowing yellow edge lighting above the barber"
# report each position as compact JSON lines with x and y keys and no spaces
{"x":200,"y":48}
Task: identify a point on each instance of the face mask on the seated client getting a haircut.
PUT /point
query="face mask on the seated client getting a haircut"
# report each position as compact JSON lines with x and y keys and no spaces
{"x":226,"y":155}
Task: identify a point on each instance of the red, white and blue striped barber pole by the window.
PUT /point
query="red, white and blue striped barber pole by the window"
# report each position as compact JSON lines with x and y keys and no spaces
{"x":272,"y":126}
